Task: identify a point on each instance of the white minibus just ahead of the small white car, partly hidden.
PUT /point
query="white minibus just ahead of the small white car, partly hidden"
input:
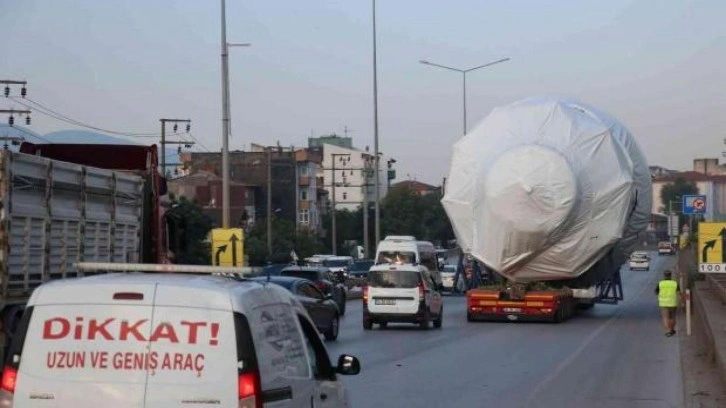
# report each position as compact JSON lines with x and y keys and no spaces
{"x":402,"y":249}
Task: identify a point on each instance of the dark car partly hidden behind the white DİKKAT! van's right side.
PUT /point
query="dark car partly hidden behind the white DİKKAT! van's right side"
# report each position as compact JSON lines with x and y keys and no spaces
{"x":322,"y":309}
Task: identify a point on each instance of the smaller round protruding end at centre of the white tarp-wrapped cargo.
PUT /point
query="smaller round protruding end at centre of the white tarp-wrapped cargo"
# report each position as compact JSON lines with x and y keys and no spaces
{"x":531,"y":189}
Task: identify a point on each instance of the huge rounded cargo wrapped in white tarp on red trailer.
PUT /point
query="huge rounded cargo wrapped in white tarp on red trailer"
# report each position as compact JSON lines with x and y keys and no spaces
{"x":544,"y":189}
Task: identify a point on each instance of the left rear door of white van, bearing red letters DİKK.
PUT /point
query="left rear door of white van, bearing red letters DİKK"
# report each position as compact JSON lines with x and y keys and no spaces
{"x":90,"y":352}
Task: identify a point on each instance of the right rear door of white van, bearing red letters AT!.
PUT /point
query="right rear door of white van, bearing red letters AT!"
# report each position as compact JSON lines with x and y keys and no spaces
{"x":195,"y":349}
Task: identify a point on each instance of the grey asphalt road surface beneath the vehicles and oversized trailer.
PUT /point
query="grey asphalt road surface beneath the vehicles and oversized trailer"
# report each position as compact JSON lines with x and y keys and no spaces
{"x":607,"y":357}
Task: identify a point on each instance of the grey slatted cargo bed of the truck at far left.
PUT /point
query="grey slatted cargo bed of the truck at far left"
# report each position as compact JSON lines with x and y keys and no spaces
{"x":54,"y":213}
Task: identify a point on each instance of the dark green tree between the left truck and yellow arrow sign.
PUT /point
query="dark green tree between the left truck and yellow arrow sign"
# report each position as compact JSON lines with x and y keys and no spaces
{"x":190,"y":227}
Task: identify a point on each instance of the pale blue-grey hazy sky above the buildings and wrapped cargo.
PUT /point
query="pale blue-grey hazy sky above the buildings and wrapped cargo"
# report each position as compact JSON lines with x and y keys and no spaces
{"x":657,"y":66}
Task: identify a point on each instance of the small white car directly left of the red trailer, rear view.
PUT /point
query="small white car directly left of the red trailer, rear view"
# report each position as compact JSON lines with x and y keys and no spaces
{"x":401,"y":293}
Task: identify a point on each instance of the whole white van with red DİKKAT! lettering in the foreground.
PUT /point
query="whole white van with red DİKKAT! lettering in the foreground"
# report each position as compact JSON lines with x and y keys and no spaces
{"x":168,"y":340}
